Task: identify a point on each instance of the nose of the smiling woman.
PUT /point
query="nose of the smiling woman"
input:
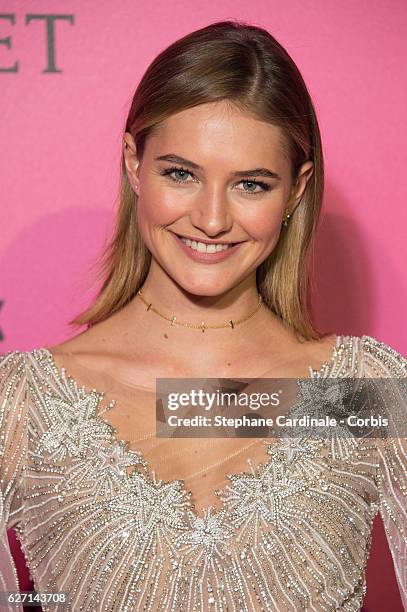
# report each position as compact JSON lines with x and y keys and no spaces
{"x":211,"y":212}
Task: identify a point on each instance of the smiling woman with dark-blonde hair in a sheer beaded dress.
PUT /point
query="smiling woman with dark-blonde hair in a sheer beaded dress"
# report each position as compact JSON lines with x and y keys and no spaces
{"x":206,"y":276}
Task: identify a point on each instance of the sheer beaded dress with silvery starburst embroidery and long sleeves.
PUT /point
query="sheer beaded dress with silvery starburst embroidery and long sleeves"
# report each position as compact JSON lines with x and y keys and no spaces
{"x":292,"y":533}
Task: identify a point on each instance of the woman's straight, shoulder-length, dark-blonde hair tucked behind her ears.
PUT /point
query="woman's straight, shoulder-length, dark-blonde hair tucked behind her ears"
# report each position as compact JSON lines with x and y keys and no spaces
{"x":243,"y":64}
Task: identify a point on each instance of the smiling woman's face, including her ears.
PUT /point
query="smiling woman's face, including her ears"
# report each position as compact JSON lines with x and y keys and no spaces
{"x":215,"y":174}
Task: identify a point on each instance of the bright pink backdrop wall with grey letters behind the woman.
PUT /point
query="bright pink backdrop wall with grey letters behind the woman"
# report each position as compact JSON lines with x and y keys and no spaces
{"x":61,"y":138}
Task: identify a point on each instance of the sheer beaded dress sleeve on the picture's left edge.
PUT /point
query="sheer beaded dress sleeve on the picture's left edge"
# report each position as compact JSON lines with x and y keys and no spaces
{"x":13,"y":445}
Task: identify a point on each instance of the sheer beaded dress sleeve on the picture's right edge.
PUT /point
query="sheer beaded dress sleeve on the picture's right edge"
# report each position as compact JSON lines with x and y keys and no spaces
{"x":382,"y":361}
